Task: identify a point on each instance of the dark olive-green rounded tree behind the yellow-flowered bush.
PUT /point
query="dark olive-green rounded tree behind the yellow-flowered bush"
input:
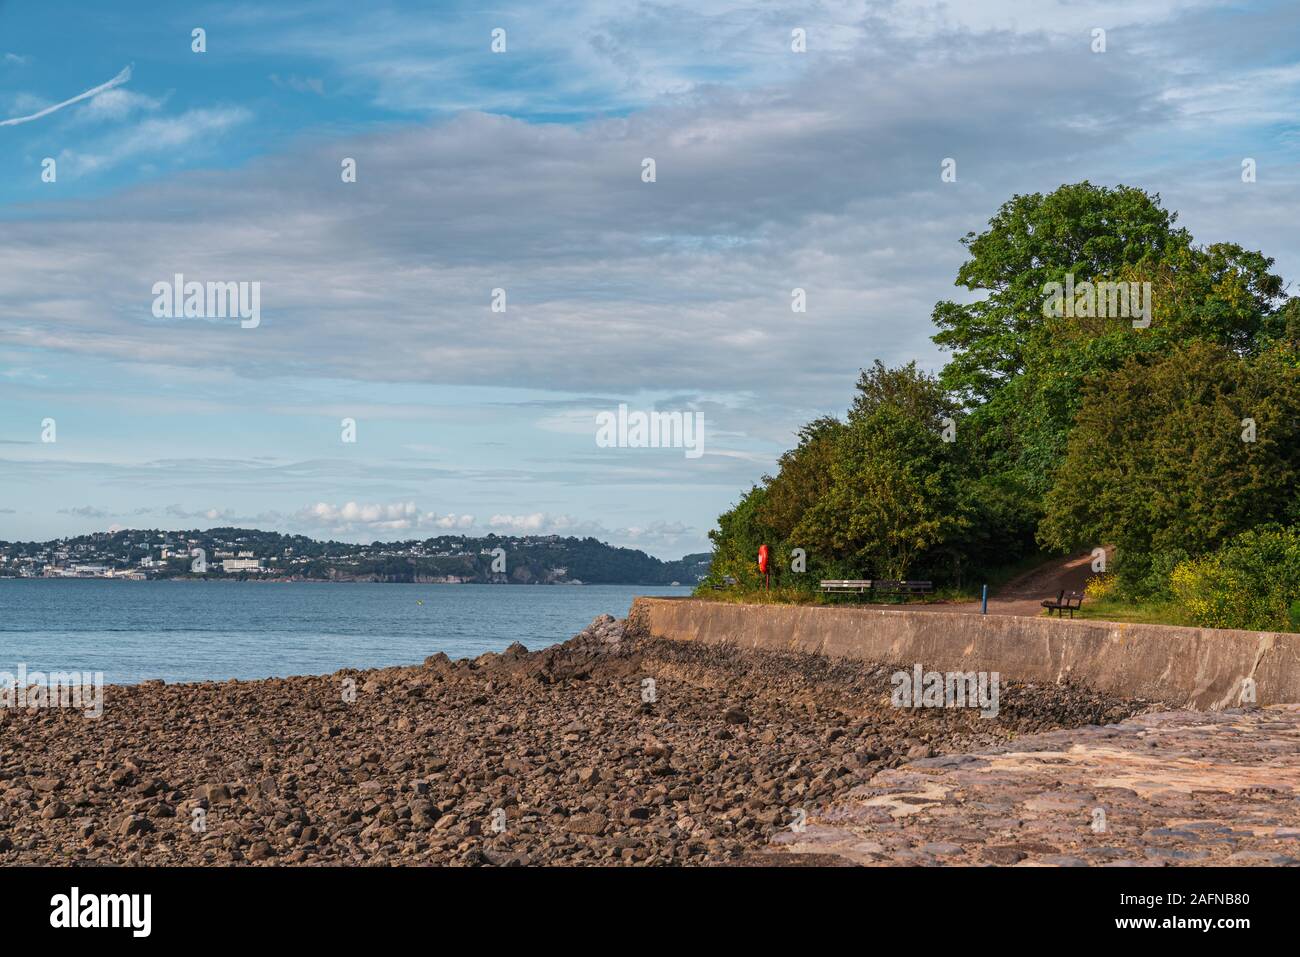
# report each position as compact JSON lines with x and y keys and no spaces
{"x":1172,"y":456}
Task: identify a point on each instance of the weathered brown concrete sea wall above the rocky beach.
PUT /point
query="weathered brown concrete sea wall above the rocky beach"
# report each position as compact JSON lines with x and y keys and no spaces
{"x":1188,"y":668}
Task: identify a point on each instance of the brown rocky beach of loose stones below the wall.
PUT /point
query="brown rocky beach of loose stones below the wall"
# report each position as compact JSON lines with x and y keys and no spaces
{"x":608,"y":750}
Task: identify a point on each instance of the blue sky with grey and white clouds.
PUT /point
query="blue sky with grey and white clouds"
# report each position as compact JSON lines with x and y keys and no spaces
{"x":522,"y":171}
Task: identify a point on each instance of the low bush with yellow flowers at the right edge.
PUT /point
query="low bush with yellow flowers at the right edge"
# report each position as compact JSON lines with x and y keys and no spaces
{"x":1251,"y":583}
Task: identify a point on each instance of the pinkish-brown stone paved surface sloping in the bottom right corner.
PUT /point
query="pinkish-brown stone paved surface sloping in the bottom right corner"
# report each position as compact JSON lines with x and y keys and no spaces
{"x":1173,"y":789}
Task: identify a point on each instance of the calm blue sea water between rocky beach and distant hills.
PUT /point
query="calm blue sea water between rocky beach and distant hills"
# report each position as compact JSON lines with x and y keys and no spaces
{"x":194,"y":631}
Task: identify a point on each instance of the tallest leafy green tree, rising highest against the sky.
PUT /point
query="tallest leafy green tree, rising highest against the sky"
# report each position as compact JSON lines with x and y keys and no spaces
{"x":1022,"y":373}
